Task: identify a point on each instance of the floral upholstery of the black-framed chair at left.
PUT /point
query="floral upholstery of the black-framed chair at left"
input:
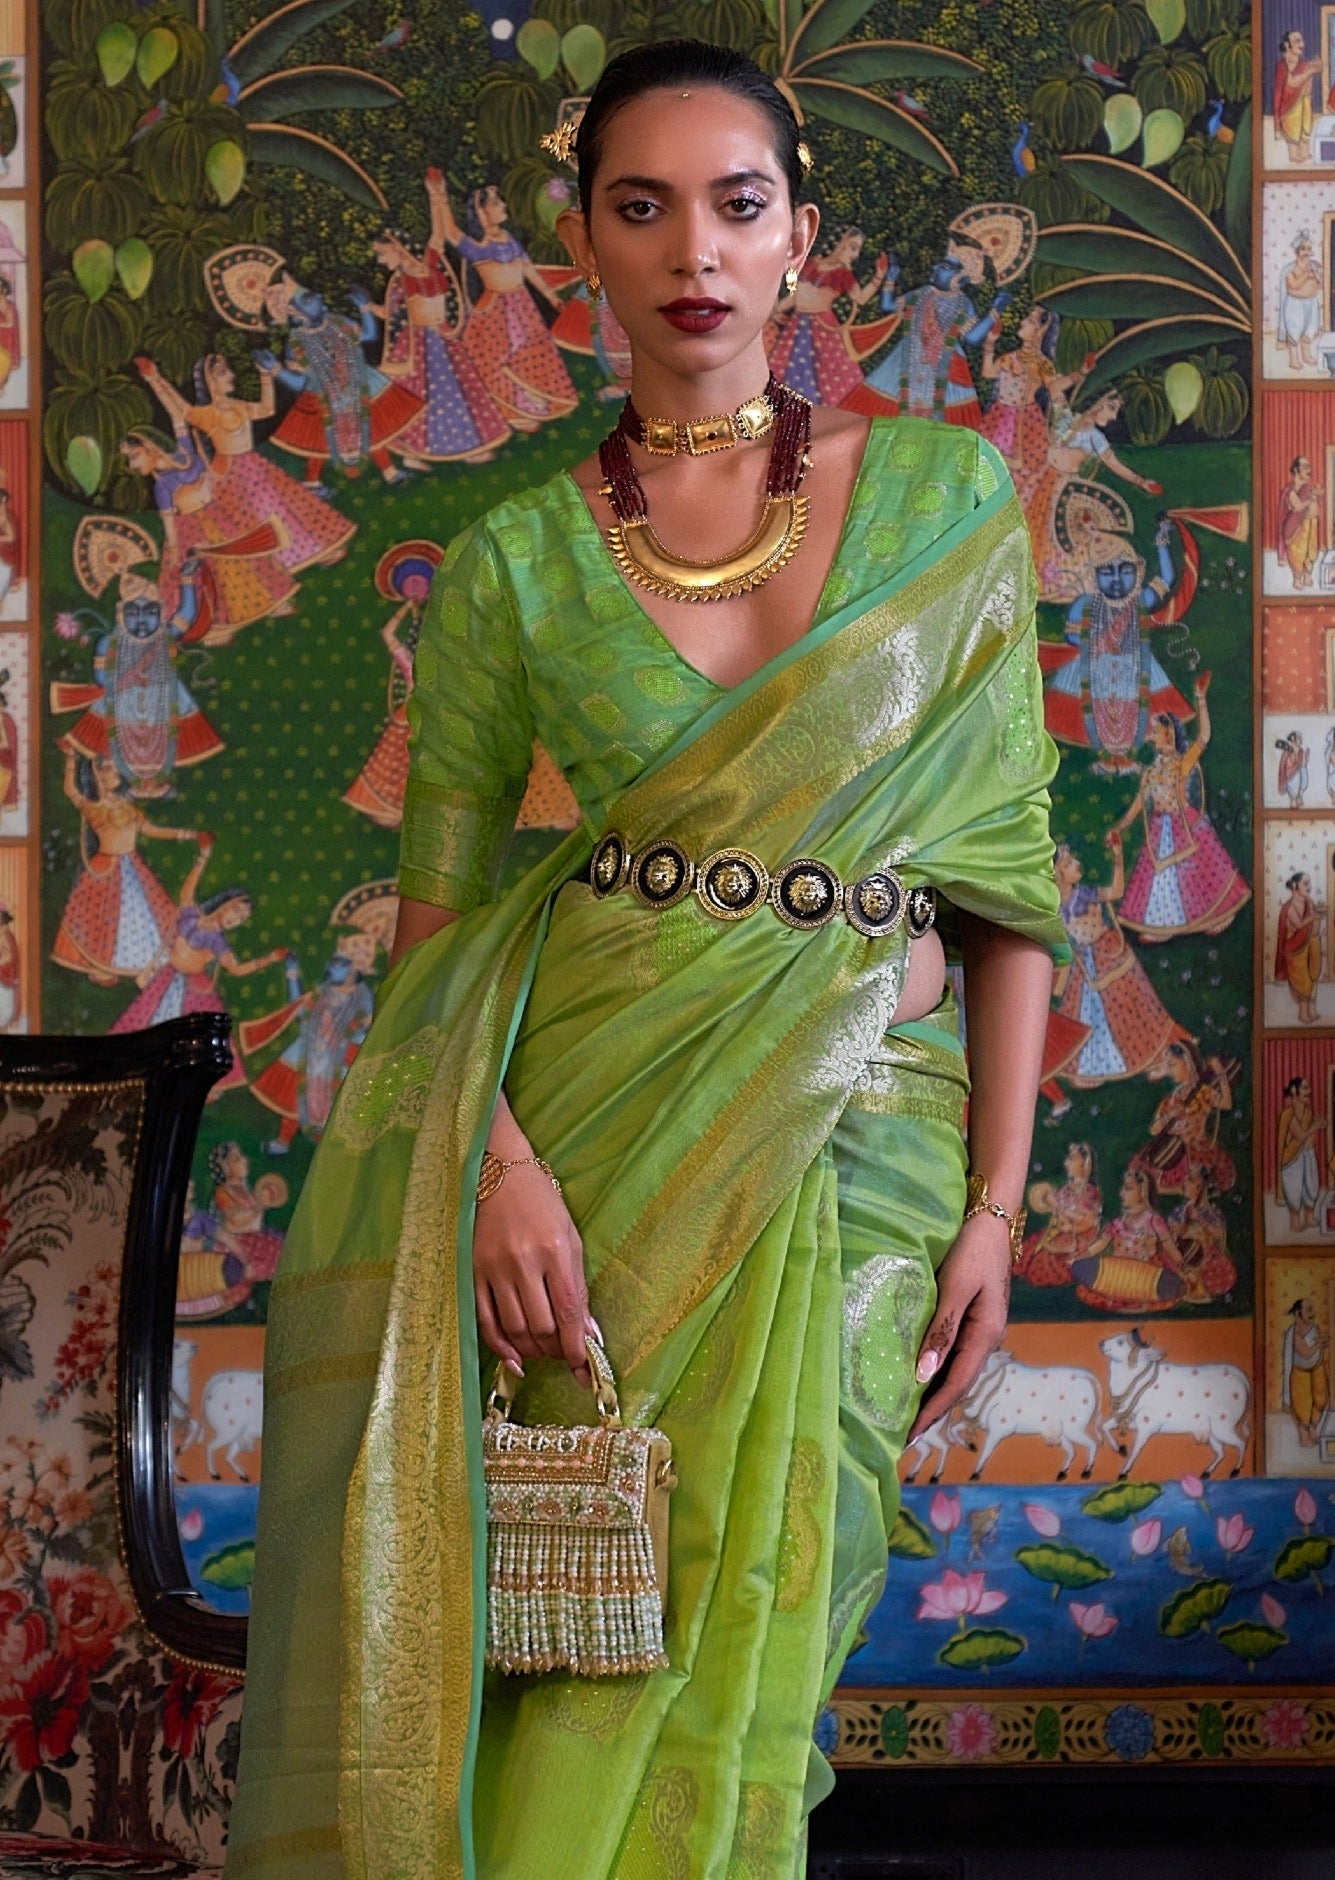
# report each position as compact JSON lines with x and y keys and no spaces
{"x":114,"y":1757}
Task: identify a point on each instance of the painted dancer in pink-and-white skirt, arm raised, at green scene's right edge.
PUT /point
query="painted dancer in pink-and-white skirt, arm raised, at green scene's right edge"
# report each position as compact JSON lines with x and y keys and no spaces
{"x":1184,"y":881}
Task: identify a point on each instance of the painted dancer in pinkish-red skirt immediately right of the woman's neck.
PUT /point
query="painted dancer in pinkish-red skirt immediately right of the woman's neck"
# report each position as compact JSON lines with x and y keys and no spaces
{"x":813,"y":349}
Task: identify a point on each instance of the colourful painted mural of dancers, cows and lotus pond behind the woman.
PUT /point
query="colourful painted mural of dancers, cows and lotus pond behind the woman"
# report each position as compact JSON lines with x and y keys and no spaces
{"x":300,"y":315}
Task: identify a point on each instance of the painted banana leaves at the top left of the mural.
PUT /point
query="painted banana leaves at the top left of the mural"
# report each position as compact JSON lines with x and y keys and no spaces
{"x":266,"y":93}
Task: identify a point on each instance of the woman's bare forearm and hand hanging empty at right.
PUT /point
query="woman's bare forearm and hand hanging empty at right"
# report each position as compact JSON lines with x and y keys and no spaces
{"x":1007,"y":990}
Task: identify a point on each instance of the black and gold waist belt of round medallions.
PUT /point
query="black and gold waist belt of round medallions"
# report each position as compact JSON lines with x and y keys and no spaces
{"x":732,"y":883}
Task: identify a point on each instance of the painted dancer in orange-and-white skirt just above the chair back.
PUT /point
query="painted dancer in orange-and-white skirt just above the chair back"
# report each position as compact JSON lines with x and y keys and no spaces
{"x":119,"y":916}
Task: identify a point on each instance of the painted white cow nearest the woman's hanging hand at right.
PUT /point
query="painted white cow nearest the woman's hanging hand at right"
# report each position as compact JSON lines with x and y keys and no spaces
{"x":1058,"y":1403}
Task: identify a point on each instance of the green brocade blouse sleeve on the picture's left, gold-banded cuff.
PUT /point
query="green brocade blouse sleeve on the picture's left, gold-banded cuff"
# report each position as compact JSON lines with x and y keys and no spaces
{"x":469,"y":734}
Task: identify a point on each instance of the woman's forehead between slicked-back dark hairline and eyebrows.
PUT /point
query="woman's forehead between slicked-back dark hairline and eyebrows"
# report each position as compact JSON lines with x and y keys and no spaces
{"x":689,"y":144}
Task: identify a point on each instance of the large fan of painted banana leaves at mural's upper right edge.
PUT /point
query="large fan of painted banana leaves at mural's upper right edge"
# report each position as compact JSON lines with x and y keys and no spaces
{"x":1170,"y":279}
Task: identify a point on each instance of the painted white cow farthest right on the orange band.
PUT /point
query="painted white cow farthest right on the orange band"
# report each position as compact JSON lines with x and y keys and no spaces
{"x":1152,"y":1398}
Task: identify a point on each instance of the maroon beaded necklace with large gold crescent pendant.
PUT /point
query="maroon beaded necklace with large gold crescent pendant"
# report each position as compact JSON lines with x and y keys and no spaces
{"x":783,"y":522}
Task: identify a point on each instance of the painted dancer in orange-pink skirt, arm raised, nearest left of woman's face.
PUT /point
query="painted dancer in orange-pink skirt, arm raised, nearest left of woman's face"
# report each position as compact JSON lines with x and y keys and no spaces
{"x":505,"y":334}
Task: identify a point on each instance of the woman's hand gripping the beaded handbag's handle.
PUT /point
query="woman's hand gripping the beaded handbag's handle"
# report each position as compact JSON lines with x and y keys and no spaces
{"x":529,"y":1276}
